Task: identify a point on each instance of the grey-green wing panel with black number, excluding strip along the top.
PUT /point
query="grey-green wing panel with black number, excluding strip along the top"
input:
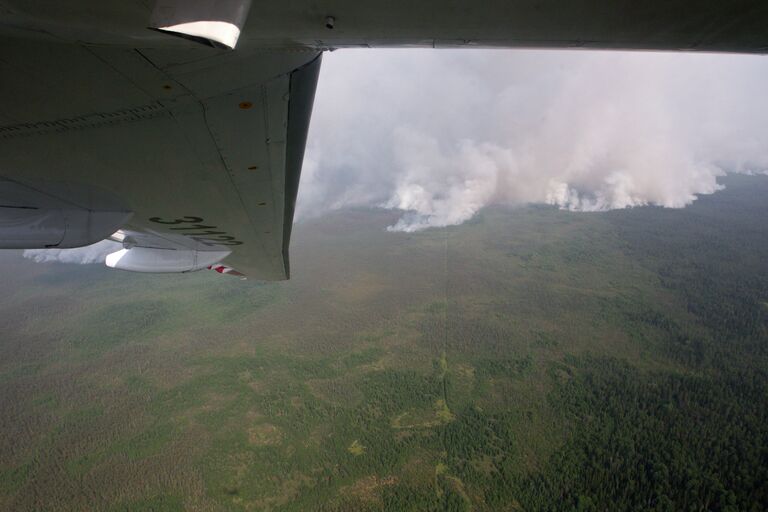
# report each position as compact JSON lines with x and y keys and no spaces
{"x":200,"y":149}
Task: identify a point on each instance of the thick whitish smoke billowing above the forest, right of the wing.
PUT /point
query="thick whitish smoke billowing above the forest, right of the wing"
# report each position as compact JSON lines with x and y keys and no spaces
{"x":440,"y":134}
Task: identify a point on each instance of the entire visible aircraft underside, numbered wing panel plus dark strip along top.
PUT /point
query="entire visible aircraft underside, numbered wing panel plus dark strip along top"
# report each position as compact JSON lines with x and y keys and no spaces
{"x":181,"y":123}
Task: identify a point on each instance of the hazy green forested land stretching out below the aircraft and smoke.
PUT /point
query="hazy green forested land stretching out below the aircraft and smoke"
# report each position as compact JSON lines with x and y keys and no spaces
{"x":530,"y":359}
